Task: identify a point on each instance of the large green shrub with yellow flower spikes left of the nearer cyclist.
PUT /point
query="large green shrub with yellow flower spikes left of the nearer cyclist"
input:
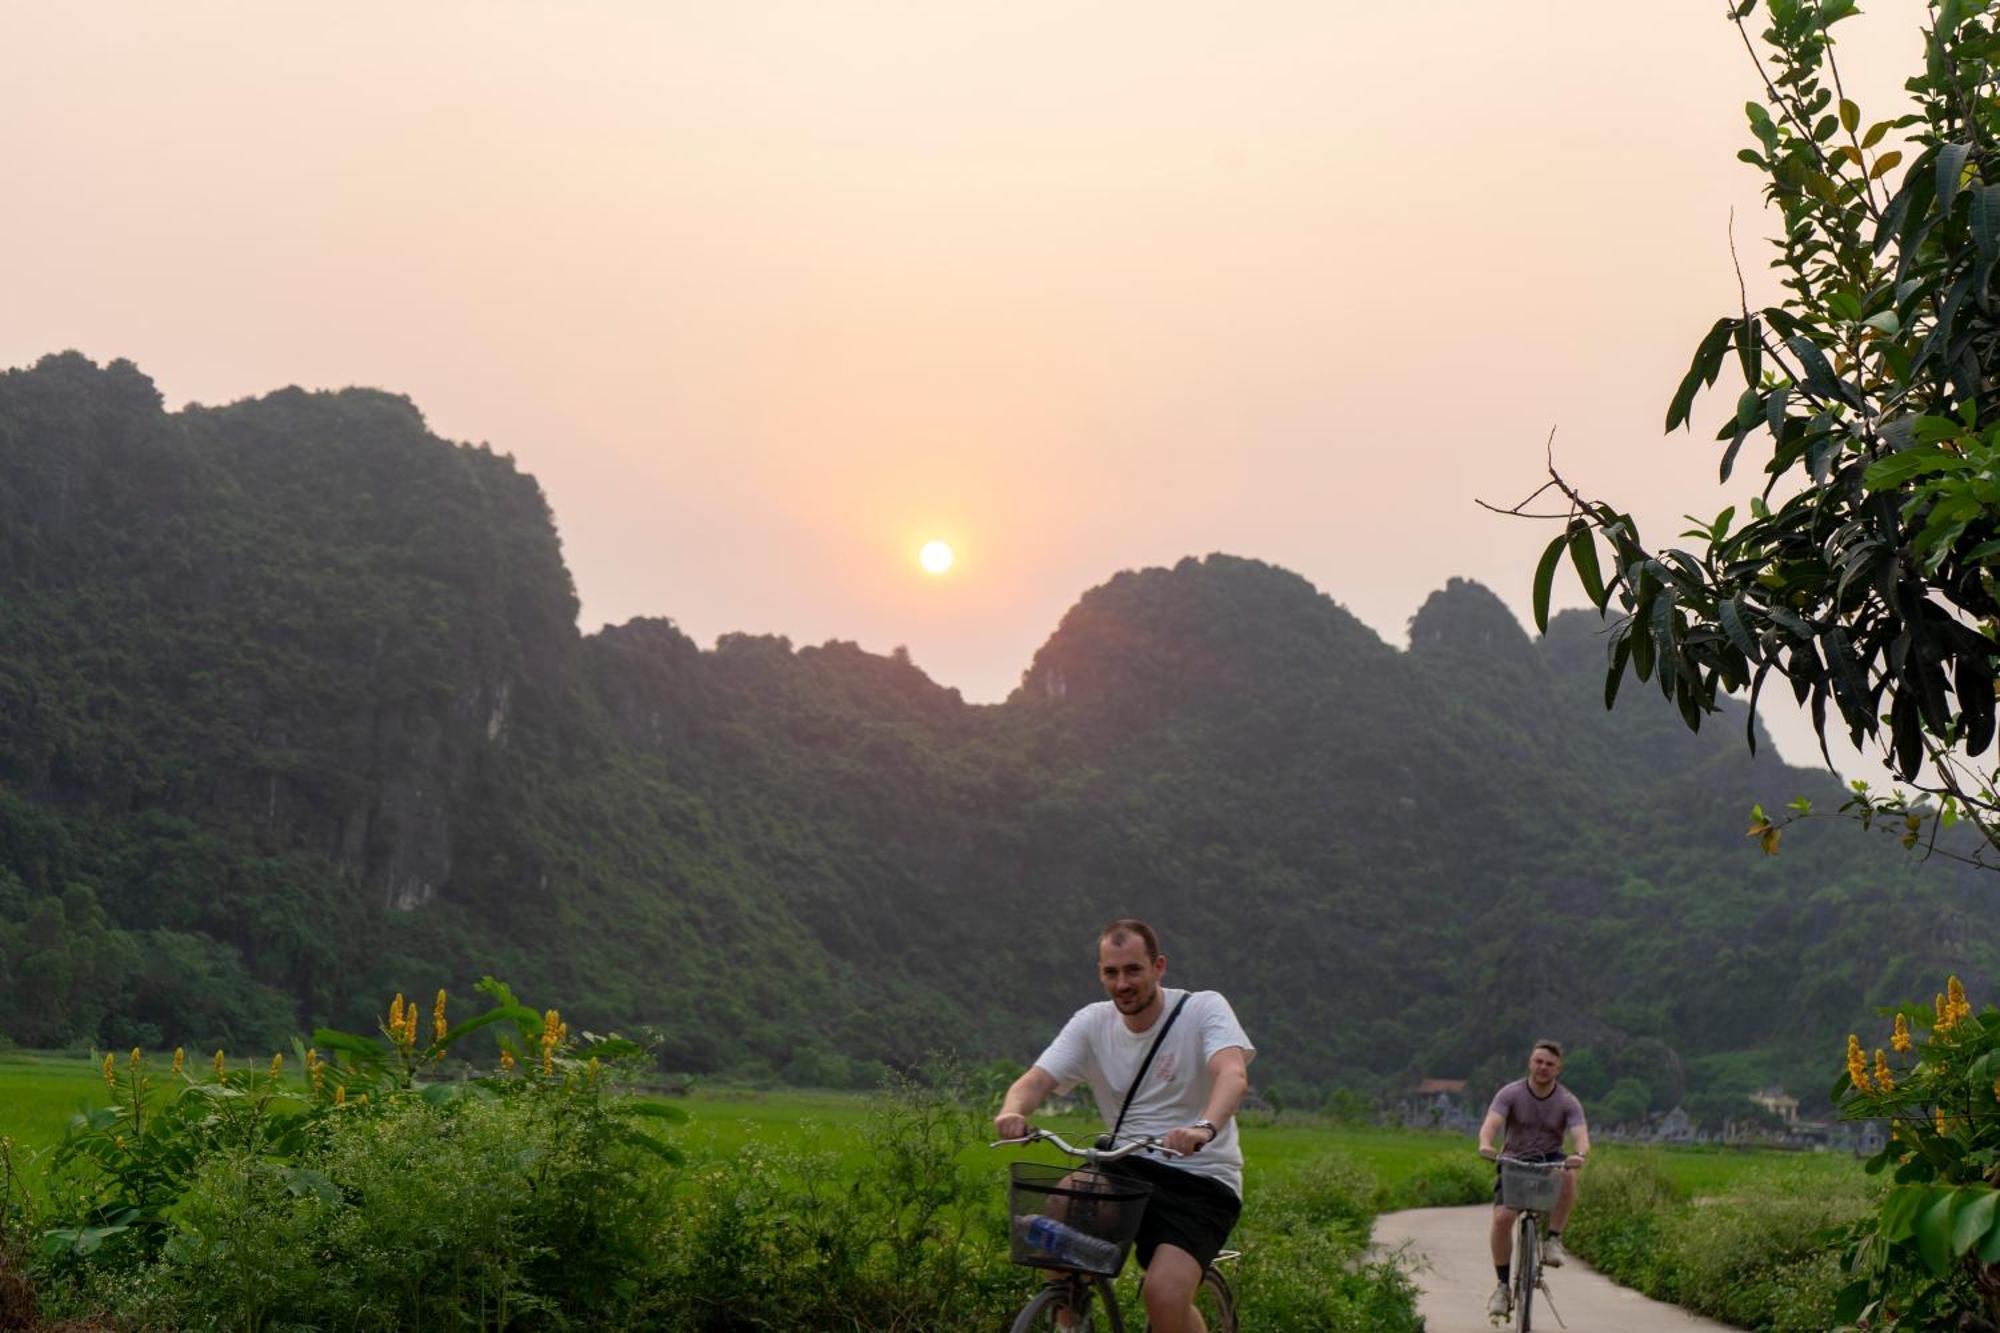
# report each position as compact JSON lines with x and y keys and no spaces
{"x":365,"y":1184}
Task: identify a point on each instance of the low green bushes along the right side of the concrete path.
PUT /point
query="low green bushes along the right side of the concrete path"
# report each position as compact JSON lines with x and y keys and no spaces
{"x":1765,"y":1258}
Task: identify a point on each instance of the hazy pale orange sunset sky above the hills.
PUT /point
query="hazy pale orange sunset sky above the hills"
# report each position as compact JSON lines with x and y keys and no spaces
{"x":767,"y":295}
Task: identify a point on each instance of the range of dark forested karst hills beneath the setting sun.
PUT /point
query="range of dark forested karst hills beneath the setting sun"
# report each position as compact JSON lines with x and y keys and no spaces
{"x":295,"y":714}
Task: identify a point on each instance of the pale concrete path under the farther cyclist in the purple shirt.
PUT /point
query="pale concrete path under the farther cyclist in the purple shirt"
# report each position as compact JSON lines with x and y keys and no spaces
{"x":1457,"y":1276}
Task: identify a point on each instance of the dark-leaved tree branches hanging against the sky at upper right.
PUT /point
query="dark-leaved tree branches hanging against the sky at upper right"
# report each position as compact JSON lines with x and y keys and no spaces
{"x":1863,"y":573}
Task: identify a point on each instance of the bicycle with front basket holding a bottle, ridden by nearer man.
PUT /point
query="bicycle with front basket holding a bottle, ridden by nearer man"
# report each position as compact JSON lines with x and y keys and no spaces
{"x":1103,"y":1208}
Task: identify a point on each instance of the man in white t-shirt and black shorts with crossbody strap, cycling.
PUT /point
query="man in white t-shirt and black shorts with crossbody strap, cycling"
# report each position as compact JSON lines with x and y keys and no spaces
{"x":1195,"y":1074}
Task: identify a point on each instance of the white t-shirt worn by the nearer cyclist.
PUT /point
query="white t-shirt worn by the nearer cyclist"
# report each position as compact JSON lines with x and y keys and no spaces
{"x":1099,"y":1050}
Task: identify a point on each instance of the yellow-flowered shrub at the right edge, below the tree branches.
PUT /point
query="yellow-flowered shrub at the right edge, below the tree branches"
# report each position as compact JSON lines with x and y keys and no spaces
{"x":1933,"y":1250}
